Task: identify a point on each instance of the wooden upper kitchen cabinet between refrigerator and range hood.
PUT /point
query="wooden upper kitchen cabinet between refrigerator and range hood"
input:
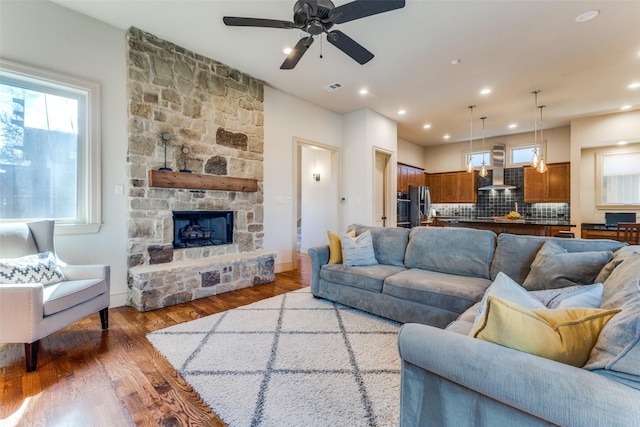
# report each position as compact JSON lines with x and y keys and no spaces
{"x":453,"y":187}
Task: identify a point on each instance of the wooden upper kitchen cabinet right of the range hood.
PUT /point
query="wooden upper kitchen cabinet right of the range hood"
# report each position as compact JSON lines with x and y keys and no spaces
{"x":552,"y":186}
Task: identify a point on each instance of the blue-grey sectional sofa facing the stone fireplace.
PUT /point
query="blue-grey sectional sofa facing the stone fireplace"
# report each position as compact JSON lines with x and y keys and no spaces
{"x":433,"y":278}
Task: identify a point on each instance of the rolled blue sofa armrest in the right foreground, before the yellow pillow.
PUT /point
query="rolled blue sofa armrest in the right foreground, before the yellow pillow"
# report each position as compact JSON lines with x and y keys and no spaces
{"x":555,"y":392}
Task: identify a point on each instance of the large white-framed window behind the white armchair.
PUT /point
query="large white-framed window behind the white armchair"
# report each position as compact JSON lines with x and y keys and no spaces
{"x":49,"y":148}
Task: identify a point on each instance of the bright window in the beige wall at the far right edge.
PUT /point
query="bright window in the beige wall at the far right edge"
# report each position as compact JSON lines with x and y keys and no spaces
{"x":618,"y":178}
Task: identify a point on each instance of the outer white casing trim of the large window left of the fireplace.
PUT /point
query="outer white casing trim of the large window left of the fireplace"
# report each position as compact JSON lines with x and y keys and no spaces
{"x":90,"y":194}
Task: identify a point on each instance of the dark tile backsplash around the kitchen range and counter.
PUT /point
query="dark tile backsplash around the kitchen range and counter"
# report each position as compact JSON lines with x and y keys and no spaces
{"x":500,"y":203}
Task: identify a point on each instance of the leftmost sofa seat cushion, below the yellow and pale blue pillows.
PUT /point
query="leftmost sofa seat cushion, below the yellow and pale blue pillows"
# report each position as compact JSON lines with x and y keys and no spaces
{"x":369,"y":277}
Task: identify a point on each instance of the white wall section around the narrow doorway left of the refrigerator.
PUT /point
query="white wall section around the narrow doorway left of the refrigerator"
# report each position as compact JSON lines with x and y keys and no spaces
{"x":363,"y":132}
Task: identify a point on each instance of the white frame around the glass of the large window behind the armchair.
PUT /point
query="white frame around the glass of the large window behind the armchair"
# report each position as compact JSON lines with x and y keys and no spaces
{"x":89,"y":174}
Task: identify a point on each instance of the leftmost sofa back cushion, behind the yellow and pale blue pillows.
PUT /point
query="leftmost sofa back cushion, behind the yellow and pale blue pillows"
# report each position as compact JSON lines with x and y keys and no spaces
{"x":389,"y":243}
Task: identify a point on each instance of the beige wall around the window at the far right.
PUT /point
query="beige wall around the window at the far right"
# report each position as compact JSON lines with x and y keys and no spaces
{"x":587,"y":133}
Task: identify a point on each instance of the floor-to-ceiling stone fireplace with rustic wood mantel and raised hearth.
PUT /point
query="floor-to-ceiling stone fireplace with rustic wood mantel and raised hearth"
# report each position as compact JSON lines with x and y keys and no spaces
{"x":200,"y":233}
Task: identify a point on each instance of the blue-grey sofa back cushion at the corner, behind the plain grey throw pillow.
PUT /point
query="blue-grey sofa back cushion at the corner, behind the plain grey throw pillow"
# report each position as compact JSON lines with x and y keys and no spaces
{"x":515,"y":253}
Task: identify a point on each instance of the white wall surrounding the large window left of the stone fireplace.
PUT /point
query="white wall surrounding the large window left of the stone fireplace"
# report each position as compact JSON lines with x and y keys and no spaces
{"x":48,"y":36}
